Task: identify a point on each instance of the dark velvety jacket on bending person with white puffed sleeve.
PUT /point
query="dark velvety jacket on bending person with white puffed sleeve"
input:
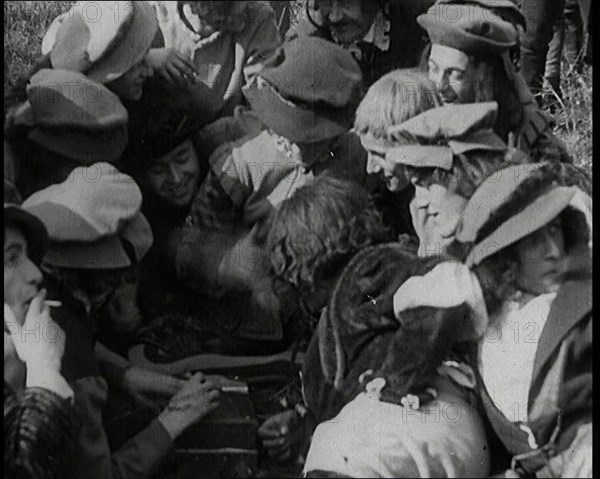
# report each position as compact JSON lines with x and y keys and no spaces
{"x":358,"y":332}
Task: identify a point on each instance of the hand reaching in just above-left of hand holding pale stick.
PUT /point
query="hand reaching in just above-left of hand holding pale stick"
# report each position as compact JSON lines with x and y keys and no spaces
{"x":141,"y":384}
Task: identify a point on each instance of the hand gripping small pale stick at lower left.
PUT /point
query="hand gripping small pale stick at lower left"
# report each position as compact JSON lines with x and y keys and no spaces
{"x":194,"y":400}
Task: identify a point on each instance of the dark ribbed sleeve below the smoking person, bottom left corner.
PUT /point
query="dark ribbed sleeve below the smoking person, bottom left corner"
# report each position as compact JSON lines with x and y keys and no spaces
{"x":39,"y":434}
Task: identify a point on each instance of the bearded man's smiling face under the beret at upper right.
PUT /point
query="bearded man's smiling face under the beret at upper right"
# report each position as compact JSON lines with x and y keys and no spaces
{"x":455,"y":76}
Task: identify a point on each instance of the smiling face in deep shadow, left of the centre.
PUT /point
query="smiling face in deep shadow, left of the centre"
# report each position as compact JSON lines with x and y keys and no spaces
{"x":175,"y":176}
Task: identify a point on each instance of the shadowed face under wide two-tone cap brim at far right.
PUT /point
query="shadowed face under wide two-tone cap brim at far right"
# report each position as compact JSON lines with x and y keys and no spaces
{"x":541,"y":259}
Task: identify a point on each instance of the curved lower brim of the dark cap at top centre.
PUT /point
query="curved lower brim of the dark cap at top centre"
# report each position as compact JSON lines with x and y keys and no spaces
{"x":297,"y":124}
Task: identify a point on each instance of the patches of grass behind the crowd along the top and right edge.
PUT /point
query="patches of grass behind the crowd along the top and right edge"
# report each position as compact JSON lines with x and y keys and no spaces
{"x":26,"y":22}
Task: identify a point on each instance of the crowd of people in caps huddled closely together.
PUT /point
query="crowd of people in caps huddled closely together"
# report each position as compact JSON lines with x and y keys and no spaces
{"x":377,"y":186}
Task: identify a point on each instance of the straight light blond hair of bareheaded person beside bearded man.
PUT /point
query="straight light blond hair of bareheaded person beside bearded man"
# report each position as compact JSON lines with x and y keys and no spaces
{"x":393,"y":99}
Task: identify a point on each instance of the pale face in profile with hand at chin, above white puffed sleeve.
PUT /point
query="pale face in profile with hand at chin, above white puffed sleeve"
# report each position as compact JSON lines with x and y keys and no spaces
{"x":436,"y":213}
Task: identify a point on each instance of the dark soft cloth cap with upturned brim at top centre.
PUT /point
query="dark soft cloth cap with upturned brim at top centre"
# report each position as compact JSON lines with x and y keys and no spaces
{"x":312,"y":94}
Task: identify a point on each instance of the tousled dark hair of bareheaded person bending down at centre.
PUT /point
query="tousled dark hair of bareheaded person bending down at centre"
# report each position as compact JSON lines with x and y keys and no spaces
{"x":318,"y":230}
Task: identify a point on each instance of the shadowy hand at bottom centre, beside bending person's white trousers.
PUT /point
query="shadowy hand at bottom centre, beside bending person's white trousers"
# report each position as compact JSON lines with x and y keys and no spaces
{"x":281,"y":435}
